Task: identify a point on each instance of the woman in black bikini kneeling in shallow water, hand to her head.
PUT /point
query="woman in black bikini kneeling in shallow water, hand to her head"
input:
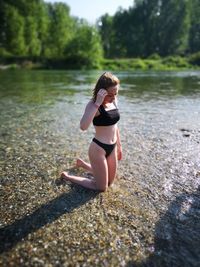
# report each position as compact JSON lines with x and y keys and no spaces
{"x":105,"y":148}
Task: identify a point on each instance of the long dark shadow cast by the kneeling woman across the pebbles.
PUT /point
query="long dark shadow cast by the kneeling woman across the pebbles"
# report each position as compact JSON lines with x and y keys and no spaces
{"x":12,"y":234}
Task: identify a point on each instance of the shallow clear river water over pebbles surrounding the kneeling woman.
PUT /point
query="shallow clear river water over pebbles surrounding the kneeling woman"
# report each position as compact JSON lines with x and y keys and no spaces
{"x":150,"y":217}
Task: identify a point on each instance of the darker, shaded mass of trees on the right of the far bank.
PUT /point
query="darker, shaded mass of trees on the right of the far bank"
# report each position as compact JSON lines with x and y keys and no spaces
{"x":152,"y":26}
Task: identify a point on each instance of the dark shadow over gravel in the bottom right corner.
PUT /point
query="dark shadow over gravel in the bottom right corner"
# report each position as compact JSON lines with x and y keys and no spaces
{"x":177,"y":235}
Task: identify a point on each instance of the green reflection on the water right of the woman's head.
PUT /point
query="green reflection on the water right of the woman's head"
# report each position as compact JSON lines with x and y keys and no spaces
{"x":159,"y":86}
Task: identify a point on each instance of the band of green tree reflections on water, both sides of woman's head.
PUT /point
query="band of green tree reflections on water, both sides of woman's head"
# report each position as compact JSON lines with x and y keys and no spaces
{"x":40,"y":86}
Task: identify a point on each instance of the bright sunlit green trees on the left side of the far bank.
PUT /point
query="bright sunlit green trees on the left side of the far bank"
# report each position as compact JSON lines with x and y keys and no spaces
{"x":35,"y":29}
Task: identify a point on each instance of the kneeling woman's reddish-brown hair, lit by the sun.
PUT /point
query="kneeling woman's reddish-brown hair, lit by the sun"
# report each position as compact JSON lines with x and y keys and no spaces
{"x":105,"y":81}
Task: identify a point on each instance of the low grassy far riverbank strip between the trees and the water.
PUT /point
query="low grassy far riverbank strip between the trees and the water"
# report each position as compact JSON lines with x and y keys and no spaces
{"x":154,"y":62}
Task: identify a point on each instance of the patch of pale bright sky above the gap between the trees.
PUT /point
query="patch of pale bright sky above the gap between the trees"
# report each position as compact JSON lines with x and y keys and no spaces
{"x":93,"y":9}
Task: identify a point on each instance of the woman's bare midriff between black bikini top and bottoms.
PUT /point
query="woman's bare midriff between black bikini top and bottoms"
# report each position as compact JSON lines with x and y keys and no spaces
{"x":106,"y":134}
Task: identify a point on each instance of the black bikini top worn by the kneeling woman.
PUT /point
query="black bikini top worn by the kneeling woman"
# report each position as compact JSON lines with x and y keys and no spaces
{"x":106,"y":118}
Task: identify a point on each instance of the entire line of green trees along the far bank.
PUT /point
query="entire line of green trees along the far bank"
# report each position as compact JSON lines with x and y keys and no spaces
{"x":39,"y":30}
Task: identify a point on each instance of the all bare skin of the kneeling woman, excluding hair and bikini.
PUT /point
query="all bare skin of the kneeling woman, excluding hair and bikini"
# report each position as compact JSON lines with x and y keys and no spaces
{"x":101,"y":167}
